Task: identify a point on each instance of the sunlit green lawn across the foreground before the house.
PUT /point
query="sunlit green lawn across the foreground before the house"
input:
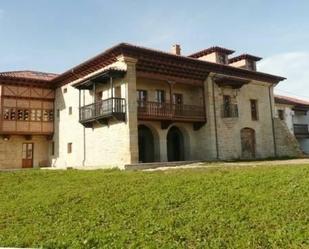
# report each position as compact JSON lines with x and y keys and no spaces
{"x":261,"y":207}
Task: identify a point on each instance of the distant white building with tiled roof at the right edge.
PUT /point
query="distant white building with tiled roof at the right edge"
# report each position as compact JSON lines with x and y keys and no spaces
{"x":295,"y":113}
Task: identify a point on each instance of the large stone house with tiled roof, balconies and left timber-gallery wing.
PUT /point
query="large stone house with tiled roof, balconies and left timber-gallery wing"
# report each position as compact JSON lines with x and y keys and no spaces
{"x":132,"y":104}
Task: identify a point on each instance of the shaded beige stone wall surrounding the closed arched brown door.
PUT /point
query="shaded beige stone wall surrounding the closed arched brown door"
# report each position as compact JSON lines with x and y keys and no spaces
{"x":228,"y":129}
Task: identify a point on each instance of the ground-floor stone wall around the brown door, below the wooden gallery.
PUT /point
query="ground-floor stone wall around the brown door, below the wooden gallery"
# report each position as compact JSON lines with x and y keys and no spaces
{"x":11,"y":151}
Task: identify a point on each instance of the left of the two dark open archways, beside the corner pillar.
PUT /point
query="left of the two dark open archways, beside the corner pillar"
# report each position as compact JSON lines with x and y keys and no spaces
{"x":145,"y":144}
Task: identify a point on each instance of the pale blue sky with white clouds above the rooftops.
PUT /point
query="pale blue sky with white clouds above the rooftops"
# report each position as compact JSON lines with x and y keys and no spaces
{"x":56,"y":35}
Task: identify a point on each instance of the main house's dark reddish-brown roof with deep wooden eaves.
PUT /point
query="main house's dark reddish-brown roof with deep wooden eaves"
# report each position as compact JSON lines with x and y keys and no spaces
{"x":159,"y":62}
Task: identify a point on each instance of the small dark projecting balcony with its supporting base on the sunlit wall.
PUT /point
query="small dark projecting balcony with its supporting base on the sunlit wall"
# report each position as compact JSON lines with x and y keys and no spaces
{"x":102,"y":111}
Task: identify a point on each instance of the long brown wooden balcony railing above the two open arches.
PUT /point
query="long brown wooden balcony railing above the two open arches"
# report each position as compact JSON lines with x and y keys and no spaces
{"x":166,"y":111}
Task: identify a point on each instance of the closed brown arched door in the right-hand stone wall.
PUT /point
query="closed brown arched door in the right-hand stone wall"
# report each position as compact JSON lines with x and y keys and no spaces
{"x":247,"y":143}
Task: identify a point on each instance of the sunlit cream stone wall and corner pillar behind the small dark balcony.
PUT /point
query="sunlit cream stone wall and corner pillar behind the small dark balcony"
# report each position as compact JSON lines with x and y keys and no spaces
{"x":109,"y":145}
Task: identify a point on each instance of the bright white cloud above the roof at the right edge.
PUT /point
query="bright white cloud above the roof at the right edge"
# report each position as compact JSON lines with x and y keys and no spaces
{"x":295,"y":67}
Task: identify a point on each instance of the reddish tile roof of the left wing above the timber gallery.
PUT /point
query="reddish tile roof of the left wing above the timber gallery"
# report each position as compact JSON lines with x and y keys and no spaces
{"x":29,"y":75}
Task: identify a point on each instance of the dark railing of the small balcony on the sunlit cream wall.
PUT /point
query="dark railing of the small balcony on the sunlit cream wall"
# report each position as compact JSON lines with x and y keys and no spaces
{"x":103,"y":108}
